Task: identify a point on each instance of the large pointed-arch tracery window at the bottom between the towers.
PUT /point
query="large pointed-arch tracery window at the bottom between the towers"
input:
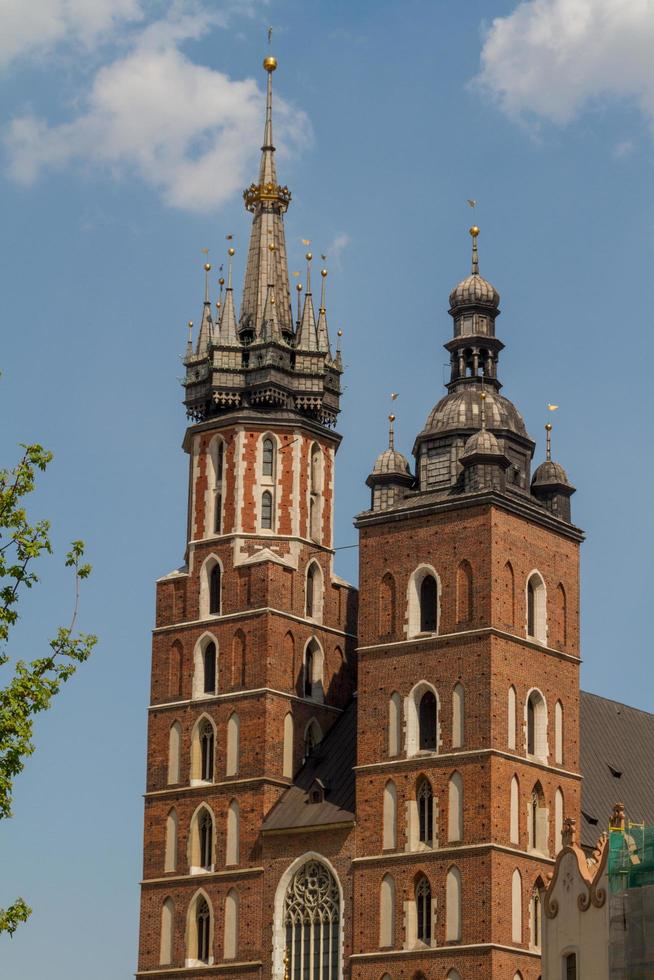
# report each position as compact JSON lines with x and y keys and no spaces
{"x":312,"y":923}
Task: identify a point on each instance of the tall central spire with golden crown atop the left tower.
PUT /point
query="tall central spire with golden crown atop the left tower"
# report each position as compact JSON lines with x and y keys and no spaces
{"x":267,"y":201}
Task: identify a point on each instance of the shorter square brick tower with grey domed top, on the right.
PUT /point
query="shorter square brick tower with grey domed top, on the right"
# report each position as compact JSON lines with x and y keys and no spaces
{"x":468,"y":681}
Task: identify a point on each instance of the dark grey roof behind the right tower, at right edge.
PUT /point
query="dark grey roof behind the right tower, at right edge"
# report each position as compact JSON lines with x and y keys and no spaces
{"x":614,"y":739}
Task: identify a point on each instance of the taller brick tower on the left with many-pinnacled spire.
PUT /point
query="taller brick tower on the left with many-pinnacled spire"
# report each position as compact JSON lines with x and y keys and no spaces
{"x":252,"y":657}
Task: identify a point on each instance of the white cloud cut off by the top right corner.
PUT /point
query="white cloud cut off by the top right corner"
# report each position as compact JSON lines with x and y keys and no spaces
{"x":551,"y":58}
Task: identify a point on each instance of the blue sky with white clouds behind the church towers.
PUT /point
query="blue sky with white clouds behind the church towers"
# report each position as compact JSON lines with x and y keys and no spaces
{"x":129,"y":129}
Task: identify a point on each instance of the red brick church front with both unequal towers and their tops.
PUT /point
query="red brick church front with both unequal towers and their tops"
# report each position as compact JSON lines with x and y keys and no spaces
{"x":368,"y":785}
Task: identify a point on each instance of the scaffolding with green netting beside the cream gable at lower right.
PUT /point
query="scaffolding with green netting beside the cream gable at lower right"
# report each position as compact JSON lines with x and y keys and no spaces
{"x":631,"y":899}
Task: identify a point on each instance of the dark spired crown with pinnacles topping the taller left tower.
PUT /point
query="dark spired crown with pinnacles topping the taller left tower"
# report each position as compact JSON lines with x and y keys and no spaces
{"x":257,"y":361}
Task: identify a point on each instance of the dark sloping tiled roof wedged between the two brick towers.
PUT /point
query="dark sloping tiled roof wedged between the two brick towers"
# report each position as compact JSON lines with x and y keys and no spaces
{"x":332,"y":762}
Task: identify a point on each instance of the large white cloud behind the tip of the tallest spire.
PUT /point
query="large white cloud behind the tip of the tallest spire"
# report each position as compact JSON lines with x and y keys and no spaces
{"x":188,"y":130}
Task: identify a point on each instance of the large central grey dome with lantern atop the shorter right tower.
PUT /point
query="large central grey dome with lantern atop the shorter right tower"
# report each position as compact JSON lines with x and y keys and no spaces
{"x":474,"y":354}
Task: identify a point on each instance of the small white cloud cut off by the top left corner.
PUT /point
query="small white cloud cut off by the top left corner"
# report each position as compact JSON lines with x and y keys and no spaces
{"x":36,"y":26}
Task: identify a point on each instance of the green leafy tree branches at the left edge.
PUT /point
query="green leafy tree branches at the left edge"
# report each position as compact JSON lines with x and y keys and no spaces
{"x":33,"y":684}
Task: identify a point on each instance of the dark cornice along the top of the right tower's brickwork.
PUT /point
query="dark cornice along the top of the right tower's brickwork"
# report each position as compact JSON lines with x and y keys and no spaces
{"x":513,"y":505}
